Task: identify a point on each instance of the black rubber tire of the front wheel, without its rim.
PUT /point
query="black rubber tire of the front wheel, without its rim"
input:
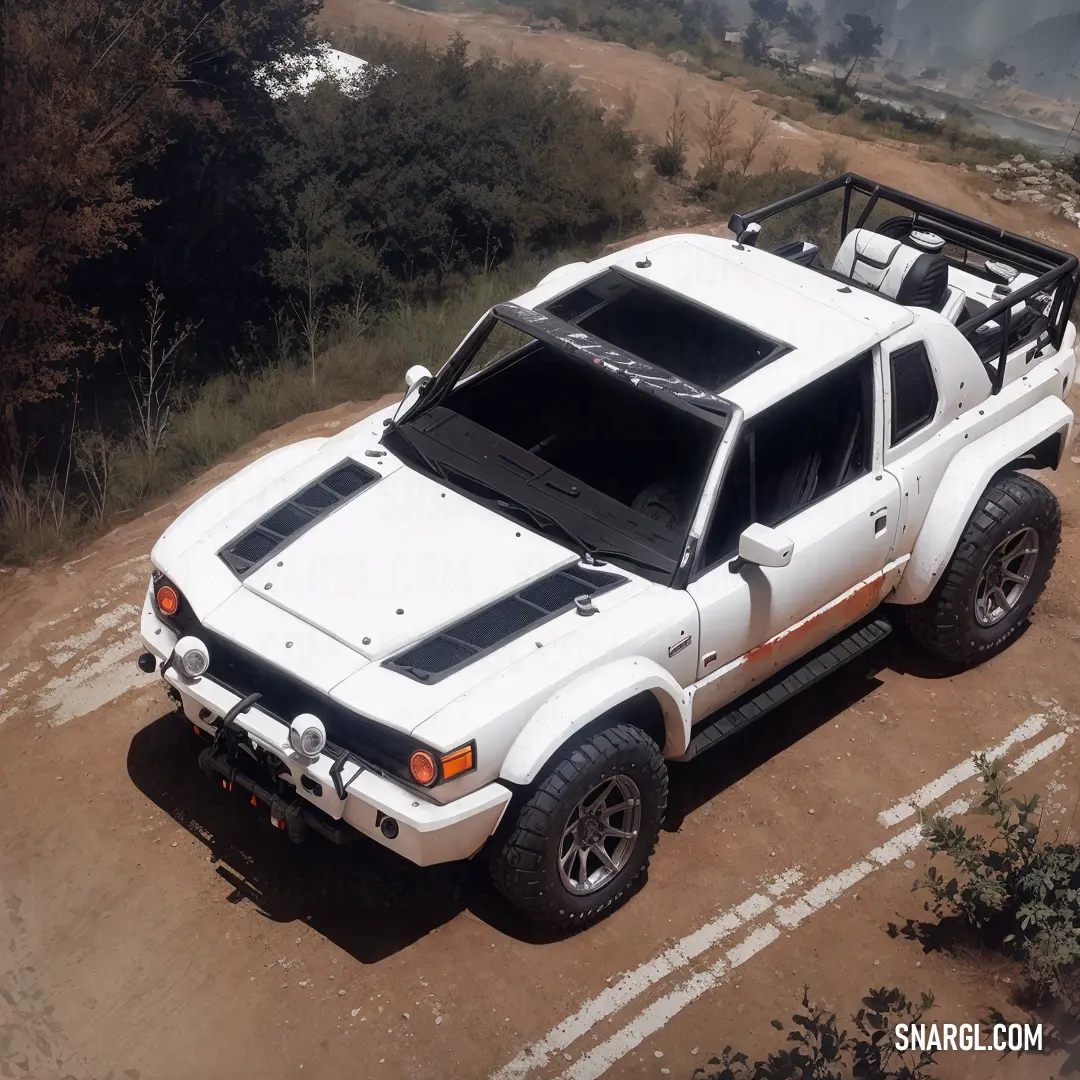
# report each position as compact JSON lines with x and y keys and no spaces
{"x":523,"y":858}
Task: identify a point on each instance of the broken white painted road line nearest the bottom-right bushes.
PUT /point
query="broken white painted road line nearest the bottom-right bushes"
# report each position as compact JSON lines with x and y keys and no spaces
{"x":597,"y":1062}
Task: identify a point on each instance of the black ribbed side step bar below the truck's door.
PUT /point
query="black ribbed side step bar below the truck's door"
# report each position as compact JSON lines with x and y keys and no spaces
{"x":789,"y":683}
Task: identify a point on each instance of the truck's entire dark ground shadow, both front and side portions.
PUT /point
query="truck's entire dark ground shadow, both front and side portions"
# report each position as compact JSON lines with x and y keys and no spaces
{"x":371,"y":902}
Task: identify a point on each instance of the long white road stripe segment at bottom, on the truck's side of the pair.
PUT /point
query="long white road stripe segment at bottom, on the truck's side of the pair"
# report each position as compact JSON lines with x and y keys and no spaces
{"x":637,"y":982}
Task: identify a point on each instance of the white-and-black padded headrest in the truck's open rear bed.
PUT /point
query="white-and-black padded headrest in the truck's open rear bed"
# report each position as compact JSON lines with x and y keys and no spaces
{"x":911,"y":277}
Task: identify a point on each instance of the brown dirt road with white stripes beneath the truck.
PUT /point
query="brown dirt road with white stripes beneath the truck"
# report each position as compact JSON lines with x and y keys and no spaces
{"x":157,"y":927}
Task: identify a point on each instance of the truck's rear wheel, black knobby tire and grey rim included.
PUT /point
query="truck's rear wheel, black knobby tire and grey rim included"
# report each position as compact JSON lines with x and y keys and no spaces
{"x":996,"y":575}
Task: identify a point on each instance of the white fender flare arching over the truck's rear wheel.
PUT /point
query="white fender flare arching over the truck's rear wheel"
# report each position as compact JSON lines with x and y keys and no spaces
{"x":963,"y":487}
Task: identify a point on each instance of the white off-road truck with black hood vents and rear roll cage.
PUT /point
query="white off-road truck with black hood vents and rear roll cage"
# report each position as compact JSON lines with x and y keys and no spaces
{"x":640,"y":507}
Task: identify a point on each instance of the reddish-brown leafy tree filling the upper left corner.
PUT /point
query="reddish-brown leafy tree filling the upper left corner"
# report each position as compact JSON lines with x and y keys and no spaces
{"x":89,"y":94}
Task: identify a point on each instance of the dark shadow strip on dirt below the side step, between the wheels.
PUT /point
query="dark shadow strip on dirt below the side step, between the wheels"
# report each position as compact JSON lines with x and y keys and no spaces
{"x":707,"y":777}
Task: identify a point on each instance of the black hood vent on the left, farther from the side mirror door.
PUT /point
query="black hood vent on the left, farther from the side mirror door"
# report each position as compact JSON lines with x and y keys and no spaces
{"x":289,"y":520}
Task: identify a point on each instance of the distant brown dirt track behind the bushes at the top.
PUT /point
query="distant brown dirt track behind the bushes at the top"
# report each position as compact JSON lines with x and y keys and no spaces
{"x":607,"y":71}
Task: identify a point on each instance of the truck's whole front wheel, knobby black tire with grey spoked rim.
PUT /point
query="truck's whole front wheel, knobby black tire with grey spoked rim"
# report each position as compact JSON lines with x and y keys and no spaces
{"x":588,"y":830}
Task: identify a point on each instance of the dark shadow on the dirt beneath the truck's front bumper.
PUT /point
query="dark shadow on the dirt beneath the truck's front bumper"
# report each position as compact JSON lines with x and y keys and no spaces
{"x":369,"y":901}
